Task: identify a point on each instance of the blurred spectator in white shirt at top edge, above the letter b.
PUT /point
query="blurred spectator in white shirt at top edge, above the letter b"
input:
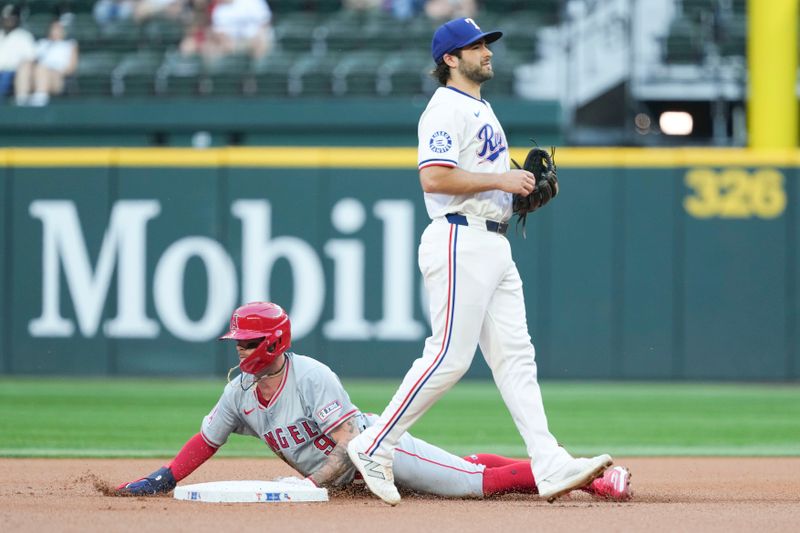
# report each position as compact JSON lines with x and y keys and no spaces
{"x":239,"y":26}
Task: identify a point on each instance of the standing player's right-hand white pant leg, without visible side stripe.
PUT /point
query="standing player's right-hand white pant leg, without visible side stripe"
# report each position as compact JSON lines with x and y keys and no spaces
{"x":508,"y":350}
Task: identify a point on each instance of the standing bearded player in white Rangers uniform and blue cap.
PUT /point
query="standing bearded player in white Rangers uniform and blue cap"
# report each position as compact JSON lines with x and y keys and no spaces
{"x":474,"y":288}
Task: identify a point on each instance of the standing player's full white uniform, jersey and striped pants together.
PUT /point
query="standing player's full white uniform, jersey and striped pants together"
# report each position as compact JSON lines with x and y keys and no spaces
{"x":474,"y":290}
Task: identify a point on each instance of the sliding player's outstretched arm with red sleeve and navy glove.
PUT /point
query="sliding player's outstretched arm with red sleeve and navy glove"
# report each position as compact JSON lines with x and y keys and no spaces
{"x":195,"y":452}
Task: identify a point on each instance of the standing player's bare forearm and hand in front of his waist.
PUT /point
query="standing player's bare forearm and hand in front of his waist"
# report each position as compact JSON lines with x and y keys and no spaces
{"x":455,"y":180}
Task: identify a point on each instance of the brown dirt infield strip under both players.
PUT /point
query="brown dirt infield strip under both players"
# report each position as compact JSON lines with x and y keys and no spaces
{"x":684,"y":494}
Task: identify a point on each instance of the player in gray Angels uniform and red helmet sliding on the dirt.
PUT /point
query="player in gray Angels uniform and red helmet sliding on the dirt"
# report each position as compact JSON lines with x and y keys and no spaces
{"x":299,"y":408}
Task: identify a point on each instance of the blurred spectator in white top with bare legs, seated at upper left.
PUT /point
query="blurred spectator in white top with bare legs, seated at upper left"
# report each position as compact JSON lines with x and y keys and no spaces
{"x":56,"y":58}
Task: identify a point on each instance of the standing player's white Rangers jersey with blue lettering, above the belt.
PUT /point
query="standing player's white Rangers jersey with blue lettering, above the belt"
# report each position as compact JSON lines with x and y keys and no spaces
{"x":456,"y":130}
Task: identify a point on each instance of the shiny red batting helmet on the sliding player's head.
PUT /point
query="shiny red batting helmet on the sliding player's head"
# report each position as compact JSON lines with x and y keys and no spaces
{"x":256,"y":320}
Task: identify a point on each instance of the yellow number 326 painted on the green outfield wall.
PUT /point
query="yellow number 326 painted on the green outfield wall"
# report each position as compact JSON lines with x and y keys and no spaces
{"x":735,"y":193}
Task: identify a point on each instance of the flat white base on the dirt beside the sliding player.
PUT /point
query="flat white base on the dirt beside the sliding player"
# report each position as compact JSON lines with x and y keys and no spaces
{"x":250,"y":492}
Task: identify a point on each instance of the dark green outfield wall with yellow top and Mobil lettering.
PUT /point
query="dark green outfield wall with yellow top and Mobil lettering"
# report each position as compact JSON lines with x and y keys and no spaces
{"x":651,"y":264}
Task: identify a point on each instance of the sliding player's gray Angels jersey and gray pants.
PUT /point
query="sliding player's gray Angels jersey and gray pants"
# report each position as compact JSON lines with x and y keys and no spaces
{"x":309,"y":403}
